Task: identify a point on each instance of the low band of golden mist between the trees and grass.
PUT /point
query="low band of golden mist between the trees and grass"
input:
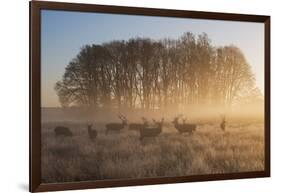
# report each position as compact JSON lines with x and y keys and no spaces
{"x":244,"y":113}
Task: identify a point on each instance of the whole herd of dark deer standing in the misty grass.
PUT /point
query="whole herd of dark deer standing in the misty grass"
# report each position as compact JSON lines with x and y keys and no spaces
{"x":145,"y":129}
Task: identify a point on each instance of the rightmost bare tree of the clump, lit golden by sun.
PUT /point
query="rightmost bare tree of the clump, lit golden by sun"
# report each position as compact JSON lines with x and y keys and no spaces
{"x":233,"y":75}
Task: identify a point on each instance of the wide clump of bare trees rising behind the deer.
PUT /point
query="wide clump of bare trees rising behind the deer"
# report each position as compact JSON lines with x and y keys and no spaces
{"x":155,"y":74}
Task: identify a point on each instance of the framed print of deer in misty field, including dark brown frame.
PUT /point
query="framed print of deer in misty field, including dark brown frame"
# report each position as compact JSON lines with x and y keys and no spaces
{"x":123,"y":96}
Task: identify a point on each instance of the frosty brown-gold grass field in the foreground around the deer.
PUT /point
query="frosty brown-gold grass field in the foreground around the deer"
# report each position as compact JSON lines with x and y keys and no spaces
{"x":121,"y":155}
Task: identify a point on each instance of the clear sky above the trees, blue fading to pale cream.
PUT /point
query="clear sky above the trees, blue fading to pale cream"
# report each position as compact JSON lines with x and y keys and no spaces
{"x":63,"y":33}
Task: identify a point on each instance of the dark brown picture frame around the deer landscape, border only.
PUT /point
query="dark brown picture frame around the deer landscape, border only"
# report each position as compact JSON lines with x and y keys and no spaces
{"x":35,"y":88}
